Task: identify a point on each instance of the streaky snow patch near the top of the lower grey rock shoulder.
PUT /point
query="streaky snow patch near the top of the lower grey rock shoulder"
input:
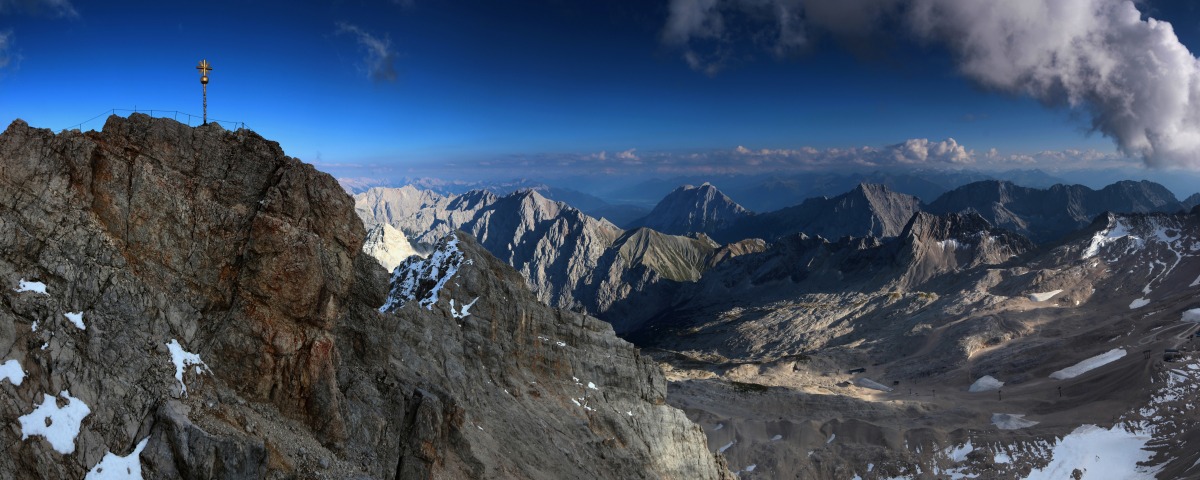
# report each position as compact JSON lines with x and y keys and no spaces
{"x":437,"y":268}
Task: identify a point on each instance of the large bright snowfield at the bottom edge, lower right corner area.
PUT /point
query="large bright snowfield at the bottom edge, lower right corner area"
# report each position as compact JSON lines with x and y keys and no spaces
{"x":1103,"y":454}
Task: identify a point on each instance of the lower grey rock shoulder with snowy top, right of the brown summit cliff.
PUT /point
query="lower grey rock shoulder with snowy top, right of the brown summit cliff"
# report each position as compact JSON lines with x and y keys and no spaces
{"x":541,"y":370}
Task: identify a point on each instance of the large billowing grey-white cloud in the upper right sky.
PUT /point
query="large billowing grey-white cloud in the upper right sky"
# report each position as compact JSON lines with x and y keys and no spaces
{"x":1131,"y":75}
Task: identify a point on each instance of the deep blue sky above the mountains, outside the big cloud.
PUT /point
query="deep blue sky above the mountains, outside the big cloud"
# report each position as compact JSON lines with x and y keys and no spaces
{"x":555,"y":88}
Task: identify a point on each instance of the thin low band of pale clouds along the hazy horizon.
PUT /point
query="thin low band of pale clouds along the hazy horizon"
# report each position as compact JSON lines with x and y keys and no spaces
{"x":920,"y":153}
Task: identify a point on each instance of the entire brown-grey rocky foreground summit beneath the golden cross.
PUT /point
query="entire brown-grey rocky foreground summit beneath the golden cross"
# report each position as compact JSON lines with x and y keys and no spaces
{"x":193,"y":303}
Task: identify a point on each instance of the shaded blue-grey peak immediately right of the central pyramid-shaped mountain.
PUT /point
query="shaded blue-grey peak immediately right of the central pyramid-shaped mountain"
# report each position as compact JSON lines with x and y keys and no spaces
{"x":868,"y":211}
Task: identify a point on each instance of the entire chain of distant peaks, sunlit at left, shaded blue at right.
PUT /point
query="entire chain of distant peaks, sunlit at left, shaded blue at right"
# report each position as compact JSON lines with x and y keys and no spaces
{"x":575,"y":261}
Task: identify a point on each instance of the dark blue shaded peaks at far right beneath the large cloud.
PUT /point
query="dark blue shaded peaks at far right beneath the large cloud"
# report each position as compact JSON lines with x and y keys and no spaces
{"x":1046,"y":215}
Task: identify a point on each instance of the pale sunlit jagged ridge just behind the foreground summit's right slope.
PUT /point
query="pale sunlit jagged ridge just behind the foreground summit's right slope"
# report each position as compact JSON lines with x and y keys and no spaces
{"x":568,"y":259}
